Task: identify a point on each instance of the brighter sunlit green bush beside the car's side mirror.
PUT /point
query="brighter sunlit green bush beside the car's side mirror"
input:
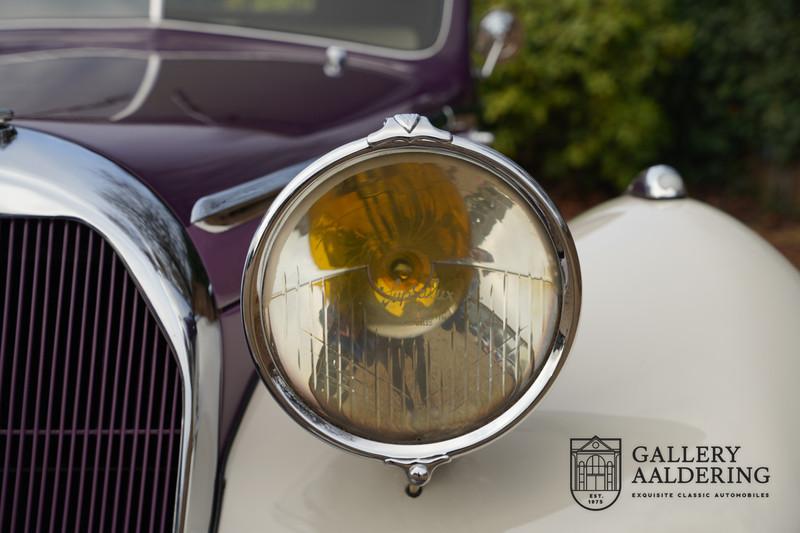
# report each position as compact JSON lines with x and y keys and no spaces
{"x":583,"y":98}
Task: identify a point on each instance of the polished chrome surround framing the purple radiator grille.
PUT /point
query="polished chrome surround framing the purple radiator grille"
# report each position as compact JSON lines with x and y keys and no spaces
{"x":42,"y":175}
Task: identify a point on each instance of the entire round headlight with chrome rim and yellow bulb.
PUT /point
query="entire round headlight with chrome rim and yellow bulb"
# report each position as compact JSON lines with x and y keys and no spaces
{"x":410,"y":296}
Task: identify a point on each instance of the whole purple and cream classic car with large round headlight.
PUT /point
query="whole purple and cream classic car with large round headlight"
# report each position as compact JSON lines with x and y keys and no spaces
{"x":233,"y":248}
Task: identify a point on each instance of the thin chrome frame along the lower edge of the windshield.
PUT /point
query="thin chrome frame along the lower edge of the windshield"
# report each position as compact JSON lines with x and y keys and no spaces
{"x":237,"y":31}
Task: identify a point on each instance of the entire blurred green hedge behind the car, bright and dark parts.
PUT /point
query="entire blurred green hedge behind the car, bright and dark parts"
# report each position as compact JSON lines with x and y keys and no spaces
{"x":604,"y":88}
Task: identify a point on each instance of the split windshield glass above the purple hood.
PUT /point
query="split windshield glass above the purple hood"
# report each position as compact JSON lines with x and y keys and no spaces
{"x":403,"y":25}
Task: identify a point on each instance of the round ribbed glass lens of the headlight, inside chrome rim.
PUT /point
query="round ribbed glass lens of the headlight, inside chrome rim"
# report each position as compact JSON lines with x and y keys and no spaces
{"x":409,"y":297}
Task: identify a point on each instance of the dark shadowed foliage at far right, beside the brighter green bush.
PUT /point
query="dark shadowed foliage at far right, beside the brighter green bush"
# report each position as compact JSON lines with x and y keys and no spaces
{"x":736,"y":98}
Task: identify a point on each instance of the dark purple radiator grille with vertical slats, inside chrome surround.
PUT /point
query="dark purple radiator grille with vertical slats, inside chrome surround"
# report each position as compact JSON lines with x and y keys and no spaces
{"x":90,"y":390}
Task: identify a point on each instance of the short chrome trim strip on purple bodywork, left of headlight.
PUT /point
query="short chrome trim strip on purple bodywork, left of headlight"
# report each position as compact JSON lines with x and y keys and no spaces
{"x":226,"y":209}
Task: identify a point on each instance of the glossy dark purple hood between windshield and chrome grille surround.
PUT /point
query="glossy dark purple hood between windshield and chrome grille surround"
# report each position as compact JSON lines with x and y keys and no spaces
{"x":191,"y":115}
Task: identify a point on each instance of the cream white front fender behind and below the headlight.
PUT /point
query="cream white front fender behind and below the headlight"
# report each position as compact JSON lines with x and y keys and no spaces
{"x":689,"y":336}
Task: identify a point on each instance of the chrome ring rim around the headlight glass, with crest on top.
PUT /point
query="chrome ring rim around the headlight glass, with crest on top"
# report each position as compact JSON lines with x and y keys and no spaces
{"x":392,"y":138}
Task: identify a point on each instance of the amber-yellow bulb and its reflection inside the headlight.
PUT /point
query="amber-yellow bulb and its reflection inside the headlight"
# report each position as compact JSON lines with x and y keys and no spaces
{"x":396,"y":229}
